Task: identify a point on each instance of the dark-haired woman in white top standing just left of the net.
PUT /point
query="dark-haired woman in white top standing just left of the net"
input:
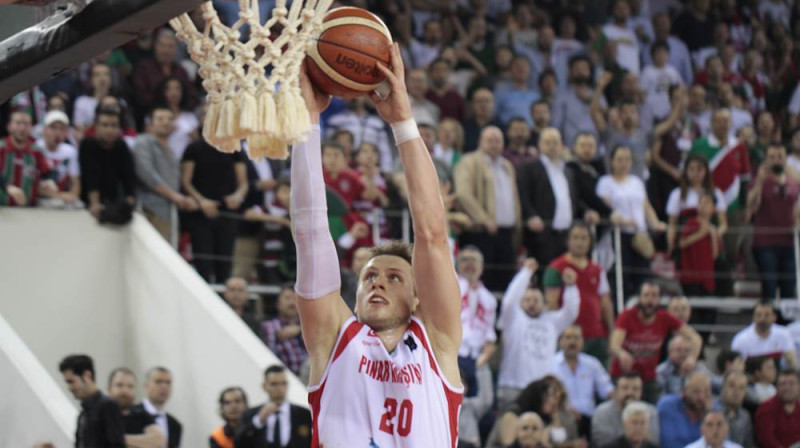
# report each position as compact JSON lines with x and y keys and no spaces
{"x":171,"y":93}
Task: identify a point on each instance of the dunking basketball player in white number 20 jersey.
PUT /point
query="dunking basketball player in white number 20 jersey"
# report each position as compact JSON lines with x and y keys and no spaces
{"x":388,"y":378}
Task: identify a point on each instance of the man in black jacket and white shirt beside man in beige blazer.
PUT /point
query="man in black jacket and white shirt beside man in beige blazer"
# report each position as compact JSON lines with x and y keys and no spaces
{"x":549,"y":199}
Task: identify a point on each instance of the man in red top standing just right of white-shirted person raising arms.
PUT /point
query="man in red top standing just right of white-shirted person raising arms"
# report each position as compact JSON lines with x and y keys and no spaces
{"x":596,"y":315}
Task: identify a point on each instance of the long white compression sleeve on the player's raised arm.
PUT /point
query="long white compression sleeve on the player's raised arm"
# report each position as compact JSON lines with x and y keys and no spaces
{"x":317,"y":260}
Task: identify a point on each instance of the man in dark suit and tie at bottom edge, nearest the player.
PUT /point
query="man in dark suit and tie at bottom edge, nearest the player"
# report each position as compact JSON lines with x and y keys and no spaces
{"x":277,"y":421}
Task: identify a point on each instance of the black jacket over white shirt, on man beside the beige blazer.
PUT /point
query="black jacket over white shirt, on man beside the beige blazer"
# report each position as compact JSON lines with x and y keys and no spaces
{"x":536,"y":194}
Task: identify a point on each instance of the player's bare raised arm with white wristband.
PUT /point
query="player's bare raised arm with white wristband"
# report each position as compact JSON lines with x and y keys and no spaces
{"x":436,"y":285}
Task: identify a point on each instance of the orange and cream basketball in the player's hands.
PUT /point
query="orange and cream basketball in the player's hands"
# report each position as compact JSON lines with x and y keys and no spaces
{"x":343,"y":59}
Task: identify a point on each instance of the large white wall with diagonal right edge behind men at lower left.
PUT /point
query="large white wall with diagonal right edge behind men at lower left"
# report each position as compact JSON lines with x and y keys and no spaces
{"x":125,"y":297}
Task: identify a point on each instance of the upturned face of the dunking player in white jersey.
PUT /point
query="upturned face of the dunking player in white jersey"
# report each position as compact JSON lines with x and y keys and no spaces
{"x":385,"y":298}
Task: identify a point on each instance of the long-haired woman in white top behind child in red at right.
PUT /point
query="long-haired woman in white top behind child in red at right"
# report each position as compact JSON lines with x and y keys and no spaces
{"x":682,"y":203}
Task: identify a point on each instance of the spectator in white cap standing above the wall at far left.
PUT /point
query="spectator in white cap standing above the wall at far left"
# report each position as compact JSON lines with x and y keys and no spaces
{"x":63,"y":158}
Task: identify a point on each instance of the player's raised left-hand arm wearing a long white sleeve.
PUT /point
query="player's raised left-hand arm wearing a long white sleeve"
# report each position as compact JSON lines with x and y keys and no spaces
{"x":322,"y":310}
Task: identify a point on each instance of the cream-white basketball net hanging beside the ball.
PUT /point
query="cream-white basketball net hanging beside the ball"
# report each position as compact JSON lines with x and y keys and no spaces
{"x":244,"y":103}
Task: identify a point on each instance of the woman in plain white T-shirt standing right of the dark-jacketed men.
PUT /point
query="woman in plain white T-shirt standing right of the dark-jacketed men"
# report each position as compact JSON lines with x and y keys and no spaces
{"x":626,"y":195}
